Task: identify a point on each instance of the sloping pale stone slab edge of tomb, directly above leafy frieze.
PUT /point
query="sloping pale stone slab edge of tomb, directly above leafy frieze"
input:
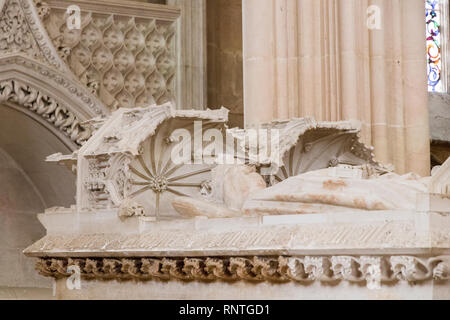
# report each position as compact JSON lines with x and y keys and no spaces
{"x":335,"y":233}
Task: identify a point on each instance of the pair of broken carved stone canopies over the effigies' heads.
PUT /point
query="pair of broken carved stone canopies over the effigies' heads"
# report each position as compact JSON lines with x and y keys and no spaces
{"x":129,"y":162}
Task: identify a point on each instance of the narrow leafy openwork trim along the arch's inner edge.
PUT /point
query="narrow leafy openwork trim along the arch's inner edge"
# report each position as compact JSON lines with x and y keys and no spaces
{"x":45,"y":106}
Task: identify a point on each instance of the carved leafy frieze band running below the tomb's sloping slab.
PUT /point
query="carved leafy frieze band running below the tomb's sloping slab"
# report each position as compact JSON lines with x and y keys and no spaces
{"x":304,"y":269}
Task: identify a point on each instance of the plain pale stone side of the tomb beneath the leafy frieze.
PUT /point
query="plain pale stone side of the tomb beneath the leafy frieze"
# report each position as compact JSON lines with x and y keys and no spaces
{"x":156,"y":290}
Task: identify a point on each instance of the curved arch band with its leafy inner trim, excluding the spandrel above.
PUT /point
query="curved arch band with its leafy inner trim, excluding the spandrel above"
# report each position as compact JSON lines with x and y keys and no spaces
{"x":49,"y":94}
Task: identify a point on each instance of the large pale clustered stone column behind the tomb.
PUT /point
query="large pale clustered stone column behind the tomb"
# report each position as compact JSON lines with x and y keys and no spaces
{"x":320,"y":58}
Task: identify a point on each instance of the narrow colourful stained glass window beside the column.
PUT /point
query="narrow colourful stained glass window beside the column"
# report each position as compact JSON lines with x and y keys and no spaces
{"x":433,"y":15}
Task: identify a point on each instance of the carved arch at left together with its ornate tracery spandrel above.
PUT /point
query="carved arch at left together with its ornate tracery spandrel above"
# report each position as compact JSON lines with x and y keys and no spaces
{"x":35,"y":79}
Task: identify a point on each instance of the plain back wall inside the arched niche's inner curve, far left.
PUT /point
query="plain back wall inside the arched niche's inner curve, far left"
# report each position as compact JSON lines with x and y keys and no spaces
{"x":19,"y":226}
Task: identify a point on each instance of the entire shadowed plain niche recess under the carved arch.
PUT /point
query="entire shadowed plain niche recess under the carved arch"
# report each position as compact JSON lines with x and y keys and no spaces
{"x":28,"y":185}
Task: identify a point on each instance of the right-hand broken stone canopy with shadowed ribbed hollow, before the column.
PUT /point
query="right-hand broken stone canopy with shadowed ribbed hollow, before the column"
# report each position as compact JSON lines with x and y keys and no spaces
{"x":302,"y":145}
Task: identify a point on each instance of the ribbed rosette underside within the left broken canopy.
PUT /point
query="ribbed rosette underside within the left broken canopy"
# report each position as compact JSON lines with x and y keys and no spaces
{"x":156,"y":179}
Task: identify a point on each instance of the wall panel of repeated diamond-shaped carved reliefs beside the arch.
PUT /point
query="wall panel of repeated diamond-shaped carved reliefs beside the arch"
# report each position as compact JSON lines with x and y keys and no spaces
{"x":123,"y":53}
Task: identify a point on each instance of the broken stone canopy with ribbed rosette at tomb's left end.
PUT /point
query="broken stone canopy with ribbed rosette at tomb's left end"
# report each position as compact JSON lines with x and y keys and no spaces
{"x":129,"y":158}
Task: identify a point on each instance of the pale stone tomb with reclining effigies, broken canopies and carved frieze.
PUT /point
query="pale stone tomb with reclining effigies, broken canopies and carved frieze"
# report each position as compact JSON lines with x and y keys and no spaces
{"x":339,"y":220}
